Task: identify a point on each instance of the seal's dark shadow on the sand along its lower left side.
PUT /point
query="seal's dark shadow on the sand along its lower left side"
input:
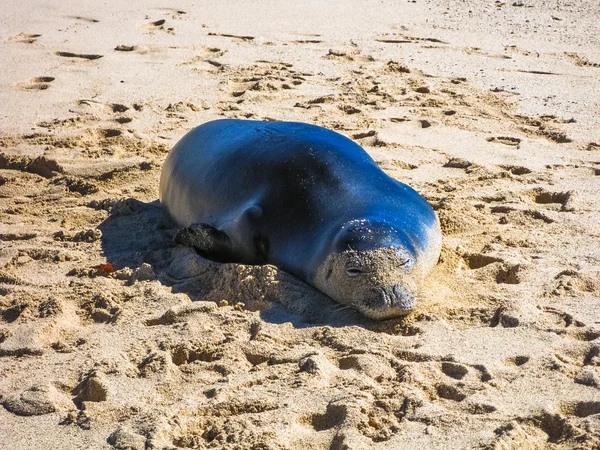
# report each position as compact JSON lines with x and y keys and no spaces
{"x":137,"y":233}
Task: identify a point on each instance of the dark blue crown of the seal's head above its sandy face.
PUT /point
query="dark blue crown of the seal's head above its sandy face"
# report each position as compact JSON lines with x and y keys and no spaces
{"x":366,"y":235}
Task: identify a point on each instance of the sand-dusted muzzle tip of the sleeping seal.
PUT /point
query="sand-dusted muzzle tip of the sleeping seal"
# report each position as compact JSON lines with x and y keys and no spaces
{"x":389,"y":302}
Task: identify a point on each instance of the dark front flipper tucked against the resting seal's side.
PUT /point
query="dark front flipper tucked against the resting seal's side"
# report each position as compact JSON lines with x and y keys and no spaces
{"x":208,"y":241}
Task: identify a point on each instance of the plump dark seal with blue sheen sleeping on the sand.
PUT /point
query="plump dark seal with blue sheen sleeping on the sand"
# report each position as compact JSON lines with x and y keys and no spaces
{"x":307,"y":200}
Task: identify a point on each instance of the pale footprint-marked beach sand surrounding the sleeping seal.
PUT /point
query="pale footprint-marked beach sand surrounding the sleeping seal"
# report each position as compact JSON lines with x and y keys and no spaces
{"x":491,"y":110}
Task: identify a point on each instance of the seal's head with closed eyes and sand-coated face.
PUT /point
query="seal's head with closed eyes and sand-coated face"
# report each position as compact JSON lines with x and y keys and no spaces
{"x":373,"y":267}
